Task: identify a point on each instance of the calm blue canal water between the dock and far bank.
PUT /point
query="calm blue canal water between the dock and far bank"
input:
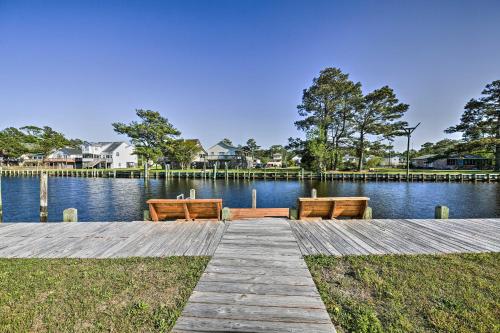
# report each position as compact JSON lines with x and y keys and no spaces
{"x":102,"y":199}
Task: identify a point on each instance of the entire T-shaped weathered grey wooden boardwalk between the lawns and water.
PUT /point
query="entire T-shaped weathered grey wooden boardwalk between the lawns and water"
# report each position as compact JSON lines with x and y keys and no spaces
{"x":256,"y":280}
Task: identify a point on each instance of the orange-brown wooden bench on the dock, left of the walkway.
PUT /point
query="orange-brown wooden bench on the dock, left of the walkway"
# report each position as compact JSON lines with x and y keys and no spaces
{"x":188,"y":209}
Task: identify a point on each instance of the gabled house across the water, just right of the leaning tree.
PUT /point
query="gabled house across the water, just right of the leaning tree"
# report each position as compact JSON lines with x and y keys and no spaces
{"x":222,"y":153}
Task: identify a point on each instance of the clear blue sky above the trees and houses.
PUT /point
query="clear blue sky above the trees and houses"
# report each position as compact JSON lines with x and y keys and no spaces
{"x":236,"y":69}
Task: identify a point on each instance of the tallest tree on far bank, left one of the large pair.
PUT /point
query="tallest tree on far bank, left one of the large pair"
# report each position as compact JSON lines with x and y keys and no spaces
{"x":328,"y":108}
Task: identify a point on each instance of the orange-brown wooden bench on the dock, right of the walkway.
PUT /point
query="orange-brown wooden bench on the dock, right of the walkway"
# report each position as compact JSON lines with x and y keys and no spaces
{"x":335,"y":207}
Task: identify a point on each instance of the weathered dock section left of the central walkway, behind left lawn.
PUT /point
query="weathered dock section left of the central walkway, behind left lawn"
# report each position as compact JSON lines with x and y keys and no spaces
{"x":109,"y":239}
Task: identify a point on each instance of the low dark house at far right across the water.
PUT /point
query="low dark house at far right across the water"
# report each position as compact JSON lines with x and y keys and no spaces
{"x":452,"y":162}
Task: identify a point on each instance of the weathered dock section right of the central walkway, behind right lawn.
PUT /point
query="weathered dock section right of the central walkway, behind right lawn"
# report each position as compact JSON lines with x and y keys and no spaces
{"x":357,"y":237}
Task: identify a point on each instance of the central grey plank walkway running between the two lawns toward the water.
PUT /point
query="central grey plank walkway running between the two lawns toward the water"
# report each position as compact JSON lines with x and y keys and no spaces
{"x":256,"y":281}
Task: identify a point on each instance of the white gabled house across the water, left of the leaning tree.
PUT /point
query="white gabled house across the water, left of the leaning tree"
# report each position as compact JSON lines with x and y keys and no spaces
{"x":113,"y":155}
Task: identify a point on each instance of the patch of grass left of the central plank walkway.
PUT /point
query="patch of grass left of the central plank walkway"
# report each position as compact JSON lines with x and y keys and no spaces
{"x":89,"y":295}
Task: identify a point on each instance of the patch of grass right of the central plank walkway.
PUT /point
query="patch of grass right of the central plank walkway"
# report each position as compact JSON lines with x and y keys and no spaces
{"x":420,"y":293}
